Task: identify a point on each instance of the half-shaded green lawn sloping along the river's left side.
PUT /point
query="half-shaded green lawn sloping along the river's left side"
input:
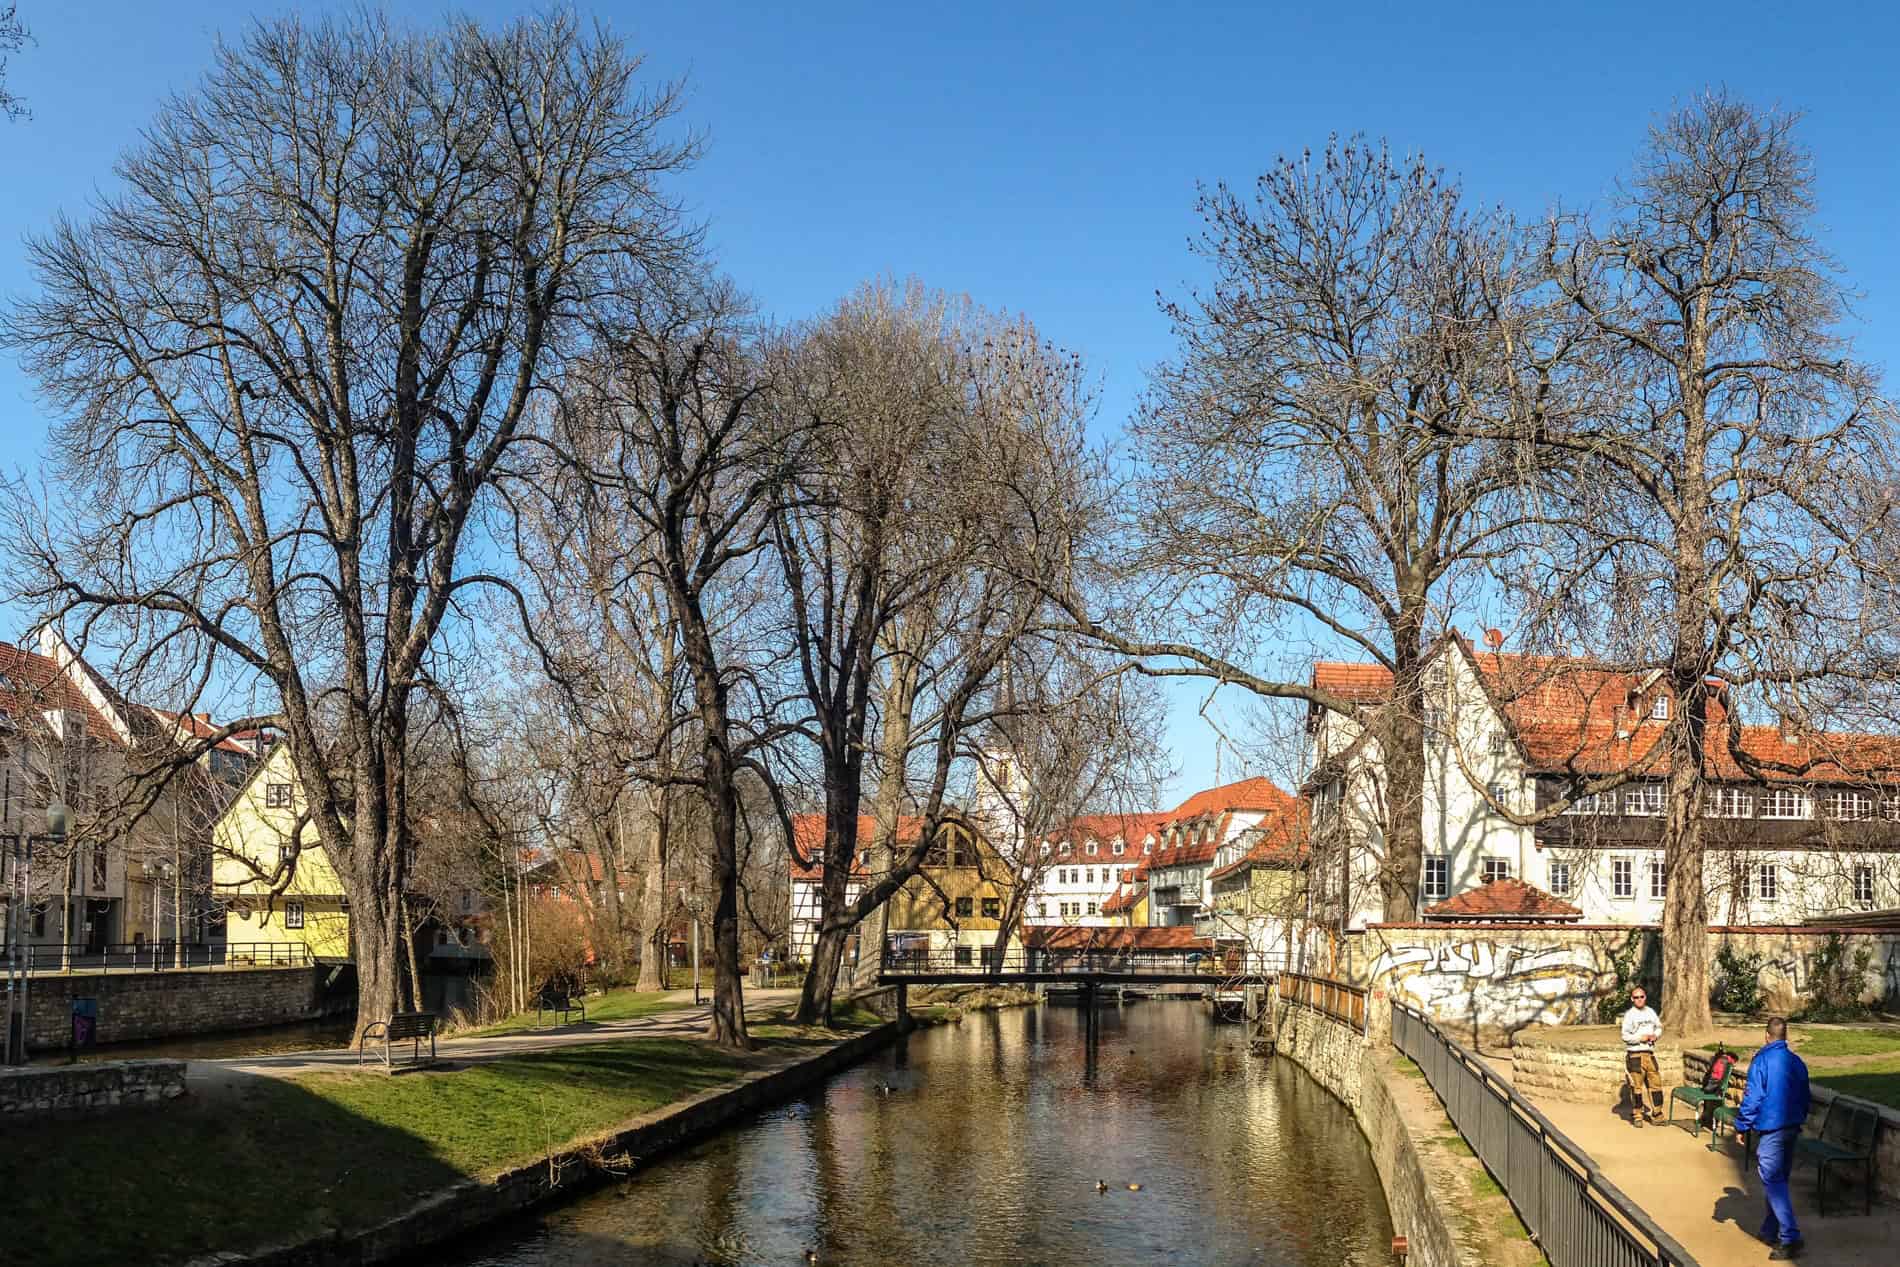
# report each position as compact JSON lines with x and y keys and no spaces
{"x":280,"y":1160}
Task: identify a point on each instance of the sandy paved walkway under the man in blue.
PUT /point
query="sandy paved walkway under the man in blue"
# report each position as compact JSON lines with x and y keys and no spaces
{"x":1709,"y":1205}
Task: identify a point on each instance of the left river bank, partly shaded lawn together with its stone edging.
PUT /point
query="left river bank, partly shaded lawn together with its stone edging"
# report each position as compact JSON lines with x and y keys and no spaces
{"x":366,"y":1167}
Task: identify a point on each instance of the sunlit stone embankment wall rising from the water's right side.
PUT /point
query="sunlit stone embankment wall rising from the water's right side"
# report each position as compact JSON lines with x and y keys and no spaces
{"x":1359,"y":1074}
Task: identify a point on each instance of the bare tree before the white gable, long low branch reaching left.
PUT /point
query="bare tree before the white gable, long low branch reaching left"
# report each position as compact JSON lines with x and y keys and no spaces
{"x":1302,"y":472}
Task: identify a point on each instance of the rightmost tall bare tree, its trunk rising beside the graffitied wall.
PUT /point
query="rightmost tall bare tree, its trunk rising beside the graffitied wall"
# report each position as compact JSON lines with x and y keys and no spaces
{"x":1743,"y":464}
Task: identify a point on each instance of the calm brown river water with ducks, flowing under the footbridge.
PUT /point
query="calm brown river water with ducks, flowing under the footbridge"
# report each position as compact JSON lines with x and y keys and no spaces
{"x":989,"y":1150}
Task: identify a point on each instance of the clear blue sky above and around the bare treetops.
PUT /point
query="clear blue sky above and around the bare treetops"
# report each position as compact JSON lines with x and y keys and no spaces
{"x":1044,"y":159}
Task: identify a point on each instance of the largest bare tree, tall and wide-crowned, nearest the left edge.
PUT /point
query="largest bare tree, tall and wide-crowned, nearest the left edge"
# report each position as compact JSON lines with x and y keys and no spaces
{"x":295,"y":356}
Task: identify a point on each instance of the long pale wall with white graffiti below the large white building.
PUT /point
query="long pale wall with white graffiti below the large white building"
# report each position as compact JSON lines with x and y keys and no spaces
{"x":1489,"y":979}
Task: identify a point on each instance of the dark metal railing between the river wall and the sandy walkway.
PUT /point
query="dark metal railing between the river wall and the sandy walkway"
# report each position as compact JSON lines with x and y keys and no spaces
{"x":1574,"y":1215}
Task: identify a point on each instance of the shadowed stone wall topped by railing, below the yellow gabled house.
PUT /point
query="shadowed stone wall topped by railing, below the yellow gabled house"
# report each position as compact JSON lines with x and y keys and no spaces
{"x":159,"y":1006}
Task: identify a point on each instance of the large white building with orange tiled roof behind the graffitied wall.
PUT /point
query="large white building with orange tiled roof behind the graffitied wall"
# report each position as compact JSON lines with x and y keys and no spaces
{"x":1521,"y":732}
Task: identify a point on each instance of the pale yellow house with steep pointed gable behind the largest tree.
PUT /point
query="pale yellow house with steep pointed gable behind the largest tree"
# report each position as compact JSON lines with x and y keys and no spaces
{"x":250,"y":846}
